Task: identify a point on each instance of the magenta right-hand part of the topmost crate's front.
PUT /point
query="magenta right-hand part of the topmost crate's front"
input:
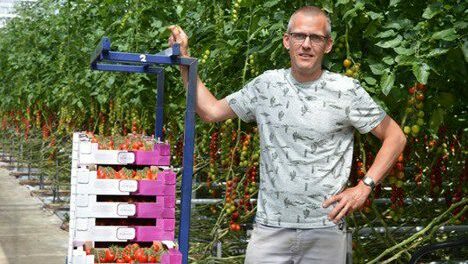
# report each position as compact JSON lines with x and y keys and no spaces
{"x":161,"y":155}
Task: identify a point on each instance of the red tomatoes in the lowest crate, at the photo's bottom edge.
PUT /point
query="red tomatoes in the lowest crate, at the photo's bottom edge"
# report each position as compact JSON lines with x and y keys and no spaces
{"x":132,"y":253}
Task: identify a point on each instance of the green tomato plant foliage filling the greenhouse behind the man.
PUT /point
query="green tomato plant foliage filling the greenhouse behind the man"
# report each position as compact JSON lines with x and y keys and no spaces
{"x":46,"y":85}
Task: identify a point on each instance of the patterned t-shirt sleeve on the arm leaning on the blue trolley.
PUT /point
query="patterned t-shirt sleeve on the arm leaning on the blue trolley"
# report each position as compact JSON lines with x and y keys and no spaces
{"x":242,"y":101}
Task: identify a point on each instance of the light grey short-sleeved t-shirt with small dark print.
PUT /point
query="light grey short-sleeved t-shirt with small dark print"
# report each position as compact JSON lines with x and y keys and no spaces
{"x":306,"y":141}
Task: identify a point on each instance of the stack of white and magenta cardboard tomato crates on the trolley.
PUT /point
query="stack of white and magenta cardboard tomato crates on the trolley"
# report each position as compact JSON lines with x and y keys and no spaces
{"x":86,"y":207}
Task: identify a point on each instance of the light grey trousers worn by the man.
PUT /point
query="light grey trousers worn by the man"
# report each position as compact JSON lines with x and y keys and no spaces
{"x":305,"y":246}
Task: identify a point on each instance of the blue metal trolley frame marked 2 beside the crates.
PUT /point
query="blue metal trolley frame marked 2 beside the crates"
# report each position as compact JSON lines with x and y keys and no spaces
{"x":103,"y":59}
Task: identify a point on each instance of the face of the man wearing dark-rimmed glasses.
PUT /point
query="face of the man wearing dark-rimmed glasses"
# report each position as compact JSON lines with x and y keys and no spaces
{"x":307,"y":54}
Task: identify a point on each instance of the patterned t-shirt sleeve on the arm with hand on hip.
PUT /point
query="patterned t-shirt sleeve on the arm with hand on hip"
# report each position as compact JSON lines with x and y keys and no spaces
{"x":364,"y":113}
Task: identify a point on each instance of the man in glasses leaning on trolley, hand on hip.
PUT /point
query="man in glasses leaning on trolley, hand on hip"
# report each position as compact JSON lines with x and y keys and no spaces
{"x":306,"y":118}
